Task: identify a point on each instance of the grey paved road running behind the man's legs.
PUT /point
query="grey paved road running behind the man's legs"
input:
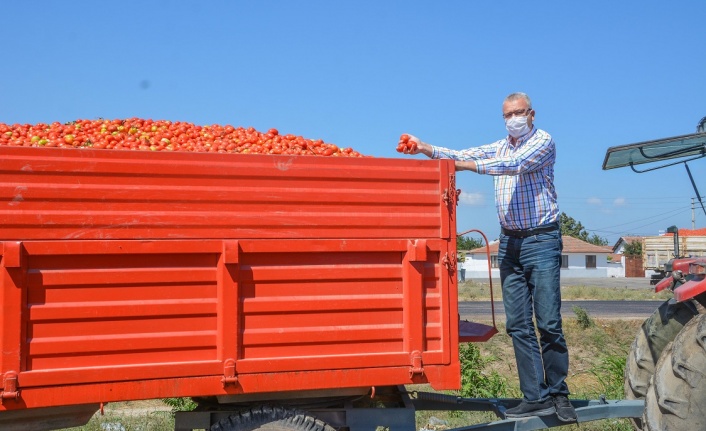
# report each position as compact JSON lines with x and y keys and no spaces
{"x":597,"y":309}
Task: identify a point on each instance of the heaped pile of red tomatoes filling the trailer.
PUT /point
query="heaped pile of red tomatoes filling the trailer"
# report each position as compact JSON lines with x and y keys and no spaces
{"x":162,"y":135}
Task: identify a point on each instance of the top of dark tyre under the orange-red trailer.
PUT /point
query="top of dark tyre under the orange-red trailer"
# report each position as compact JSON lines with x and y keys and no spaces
{"x":268,"y":418}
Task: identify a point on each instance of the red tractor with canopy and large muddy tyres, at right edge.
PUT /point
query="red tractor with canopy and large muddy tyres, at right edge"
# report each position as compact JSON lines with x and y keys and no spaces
{"x":666,"y":365}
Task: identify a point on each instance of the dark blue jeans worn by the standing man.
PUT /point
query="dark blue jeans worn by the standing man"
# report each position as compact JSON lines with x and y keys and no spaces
{"x":529,"y":271}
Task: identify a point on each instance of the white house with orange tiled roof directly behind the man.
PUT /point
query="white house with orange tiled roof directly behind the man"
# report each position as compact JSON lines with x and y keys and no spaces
{"x":578,"y":259}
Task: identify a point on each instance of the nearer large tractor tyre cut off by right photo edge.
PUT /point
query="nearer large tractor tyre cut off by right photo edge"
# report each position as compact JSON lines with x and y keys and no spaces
{"x":676,"y":399}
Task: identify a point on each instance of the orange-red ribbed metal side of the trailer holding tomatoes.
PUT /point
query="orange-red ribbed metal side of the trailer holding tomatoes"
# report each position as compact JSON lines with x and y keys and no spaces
{"x":136,"y":275}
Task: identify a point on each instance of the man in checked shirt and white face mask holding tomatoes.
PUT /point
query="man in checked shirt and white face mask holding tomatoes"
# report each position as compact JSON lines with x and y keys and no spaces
{"x":529,"y":254}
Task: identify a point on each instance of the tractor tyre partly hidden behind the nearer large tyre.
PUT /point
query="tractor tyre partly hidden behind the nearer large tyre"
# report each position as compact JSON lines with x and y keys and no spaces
{"x":656,"y":332}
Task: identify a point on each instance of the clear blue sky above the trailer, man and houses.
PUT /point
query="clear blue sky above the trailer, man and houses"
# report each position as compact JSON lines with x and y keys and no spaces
{"x":359,"y":73}
